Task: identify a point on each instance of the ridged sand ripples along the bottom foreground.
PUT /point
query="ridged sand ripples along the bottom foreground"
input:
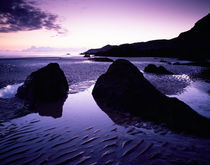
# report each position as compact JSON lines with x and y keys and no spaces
{"x":31,"y":144}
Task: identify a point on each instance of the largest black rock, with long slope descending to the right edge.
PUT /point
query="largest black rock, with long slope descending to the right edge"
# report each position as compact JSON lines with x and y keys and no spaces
{"x":123,"y":88}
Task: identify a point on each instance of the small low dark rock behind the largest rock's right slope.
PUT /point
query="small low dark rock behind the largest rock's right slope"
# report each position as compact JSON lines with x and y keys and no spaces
{"x":151,"y":68}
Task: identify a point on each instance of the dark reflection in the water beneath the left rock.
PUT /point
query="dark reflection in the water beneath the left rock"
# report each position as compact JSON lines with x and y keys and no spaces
{"x":53,"y":109}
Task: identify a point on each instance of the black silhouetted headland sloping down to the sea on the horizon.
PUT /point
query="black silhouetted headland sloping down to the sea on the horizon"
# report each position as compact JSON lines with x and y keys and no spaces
{"x":194,"y":43}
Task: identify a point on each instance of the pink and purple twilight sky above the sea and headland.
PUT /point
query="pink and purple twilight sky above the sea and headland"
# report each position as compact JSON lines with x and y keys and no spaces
{"x":56,"y":27}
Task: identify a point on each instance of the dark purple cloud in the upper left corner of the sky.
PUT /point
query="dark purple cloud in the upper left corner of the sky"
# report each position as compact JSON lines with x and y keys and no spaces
{"x":23,"y":15}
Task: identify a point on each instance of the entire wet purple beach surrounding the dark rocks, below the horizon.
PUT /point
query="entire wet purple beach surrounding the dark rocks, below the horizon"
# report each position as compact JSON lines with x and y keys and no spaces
{"x":84,"y":133}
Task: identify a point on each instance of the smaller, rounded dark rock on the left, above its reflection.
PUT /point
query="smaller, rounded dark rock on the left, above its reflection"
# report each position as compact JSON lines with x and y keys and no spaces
{"x":47,"y":84}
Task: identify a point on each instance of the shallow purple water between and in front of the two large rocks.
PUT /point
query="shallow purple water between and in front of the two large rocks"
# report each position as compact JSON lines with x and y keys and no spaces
{"x":86,"y":135}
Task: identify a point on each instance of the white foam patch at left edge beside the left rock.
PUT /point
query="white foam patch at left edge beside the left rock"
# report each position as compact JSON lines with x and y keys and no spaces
{"x":9,"y":91}
